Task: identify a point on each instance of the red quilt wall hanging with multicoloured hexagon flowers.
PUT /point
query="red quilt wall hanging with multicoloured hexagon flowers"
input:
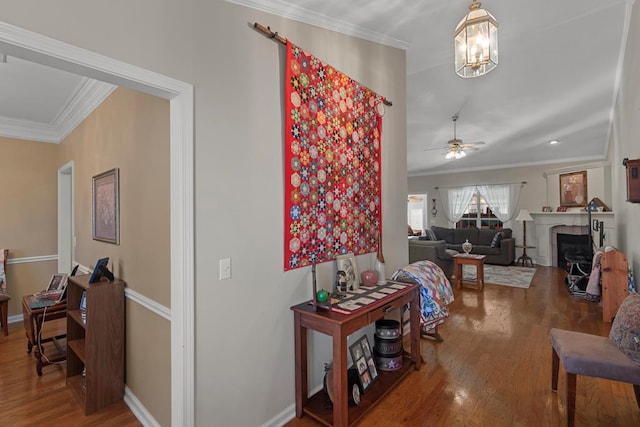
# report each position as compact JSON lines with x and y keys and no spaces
{"x":333,"y":129}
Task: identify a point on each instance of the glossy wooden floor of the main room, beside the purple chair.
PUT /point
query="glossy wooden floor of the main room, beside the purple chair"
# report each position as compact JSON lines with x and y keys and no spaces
{"x":494,"y":366}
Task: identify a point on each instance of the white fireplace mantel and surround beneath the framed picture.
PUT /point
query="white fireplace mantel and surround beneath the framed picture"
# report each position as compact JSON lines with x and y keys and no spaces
{"x":545,"y":221}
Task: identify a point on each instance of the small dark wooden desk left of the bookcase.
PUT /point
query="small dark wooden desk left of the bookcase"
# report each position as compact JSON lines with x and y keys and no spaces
{"x":33,"y":320}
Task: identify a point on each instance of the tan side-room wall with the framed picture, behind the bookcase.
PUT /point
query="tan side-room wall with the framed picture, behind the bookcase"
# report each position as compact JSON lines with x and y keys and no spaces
{"x":130,"y":131}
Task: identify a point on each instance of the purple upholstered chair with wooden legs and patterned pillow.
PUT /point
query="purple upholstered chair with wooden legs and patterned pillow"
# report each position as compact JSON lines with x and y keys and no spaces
{"x":614,"y":358}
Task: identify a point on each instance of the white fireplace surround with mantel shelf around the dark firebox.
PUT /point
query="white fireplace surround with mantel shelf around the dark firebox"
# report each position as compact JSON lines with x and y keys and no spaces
{"x":549,"y":224}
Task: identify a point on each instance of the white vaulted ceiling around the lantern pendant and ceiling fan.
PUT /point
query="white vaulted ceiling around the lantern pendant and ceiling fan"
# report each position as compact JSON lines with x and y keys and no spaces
{"x":557,"y":76}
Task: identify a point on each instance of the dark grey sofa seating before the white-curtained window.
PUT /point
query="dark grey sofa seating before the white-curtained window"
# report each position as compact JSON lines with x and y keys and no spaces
{"x":440,"y":244}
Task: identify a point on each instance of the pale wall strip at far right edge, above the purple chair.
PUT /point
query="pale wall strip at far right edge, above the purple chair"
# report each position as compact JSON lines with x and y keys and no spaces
{"x":624,"y":143}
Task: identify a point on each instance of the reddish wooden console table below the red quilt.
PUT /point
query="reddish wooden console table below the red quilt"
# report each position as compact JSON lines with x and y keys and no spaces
{"x":339,"y":326}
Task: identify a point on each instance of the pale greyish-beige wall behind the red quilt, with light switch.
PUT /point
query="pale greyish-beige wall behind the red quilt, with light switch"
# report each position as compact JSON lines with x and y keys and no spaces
{"x":237,"y":74}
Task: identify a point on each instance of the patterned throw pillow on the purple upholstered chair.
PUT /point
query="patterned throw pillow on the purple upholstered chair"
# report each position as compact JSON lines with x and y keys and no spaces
{"x":625,"y":330}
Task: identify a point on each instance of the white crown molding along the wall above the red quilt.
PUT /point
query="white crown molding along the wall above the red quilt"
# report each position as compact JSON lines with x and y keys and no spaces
{"x":300,"y":14}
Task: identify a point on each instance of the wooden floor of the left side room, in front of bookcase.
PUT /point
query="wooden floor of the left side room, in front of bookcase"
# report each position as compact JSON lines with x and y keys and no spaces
{"x":29,"y":400}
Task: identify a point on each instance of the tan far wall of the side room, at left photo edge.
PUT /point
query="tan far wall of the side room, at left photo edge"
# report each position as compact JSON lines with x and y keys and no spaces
{"x":28,"y":171}
